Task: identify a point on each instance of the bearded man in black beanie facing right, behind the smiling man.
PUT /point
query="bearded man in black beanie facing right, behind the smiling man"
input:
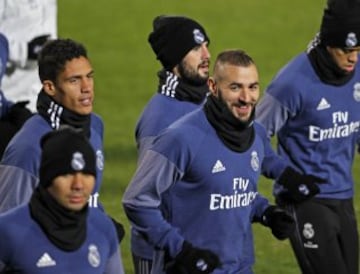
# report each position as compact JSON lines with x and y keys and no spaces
{"x":181,"y":45}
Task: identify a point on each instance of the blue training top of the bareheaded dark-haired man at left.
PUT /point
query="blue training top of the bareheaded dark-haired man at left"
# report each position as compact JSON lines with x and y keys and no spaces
{"x":19,"y":167}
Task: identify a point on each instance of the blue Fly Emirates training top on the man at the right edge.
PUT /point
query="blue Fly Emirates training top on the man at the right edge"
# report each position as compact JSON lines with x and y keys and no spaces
{"x":317,"y":124}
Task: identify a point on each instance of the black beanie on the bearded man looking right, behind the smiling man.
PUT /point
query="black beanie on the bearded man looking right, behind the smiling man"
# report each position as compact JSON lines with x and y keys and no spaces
{"x":173,"y":37}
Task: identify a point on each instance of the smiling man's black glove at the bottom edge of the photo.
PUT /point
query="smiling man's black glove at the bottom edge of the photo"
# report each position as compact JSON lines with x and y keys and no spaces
{"x":192,"y":260}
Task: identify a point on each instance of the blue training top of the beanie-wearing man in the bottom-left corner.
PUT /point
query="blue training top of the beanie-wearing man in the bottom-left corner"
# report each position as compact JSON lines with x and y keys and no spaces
{"x":25,"y":247}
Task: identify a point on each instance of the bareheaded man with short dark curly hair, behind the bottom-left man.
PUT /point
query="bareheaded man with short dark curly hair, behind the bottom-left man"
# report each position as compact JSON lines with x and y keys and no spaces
{"x":66,"y":99}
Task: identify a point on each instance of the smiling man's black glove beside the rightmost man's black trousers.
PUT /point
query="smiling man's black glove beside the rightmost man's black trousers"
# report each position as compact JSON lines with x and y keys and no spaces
{"x":281,"y":223}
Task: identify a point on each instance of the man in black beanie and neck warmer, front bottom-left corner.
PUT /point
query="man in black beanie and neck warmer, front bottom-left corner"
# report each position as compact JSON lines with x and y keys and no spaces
{"x":56,"y":231}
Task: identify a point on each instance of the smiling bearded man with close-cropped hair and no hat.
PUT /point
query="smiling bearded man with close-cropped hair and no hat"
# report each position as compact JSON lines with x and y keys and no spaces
{"x":194,"y":195}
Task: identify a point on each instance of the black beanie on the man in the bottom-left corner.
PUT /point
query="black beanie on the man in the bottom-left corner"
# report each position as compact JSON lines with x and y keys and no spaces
{"x":65,"y":151}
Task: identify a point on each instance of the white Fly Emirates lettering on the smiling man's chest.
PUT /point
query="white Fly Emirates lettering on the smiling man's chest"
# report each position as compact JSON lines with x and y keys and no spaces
{"x":240,"y":198}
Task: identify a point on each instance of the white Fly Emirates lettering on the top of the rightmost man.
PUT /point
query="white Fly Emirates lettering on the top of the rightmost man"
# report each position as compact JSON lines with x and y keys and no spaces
{"x":341,"y":128}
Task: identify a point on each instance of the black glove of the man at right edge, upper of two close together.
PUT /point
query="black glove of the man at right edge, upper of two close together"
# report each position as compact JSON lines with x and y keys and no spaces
{"x":299,"y":187}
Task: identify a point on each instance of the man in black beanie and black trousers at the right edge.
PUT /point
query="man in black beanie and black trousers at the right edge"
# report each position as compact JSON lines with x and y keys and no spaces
{"x":312,"y":106}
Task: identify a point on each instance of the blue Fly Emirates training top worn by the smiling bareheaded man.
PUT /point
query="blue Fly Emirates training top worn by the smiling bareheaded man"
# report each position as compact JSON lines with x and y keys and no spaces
{"x":207,"y":193}
